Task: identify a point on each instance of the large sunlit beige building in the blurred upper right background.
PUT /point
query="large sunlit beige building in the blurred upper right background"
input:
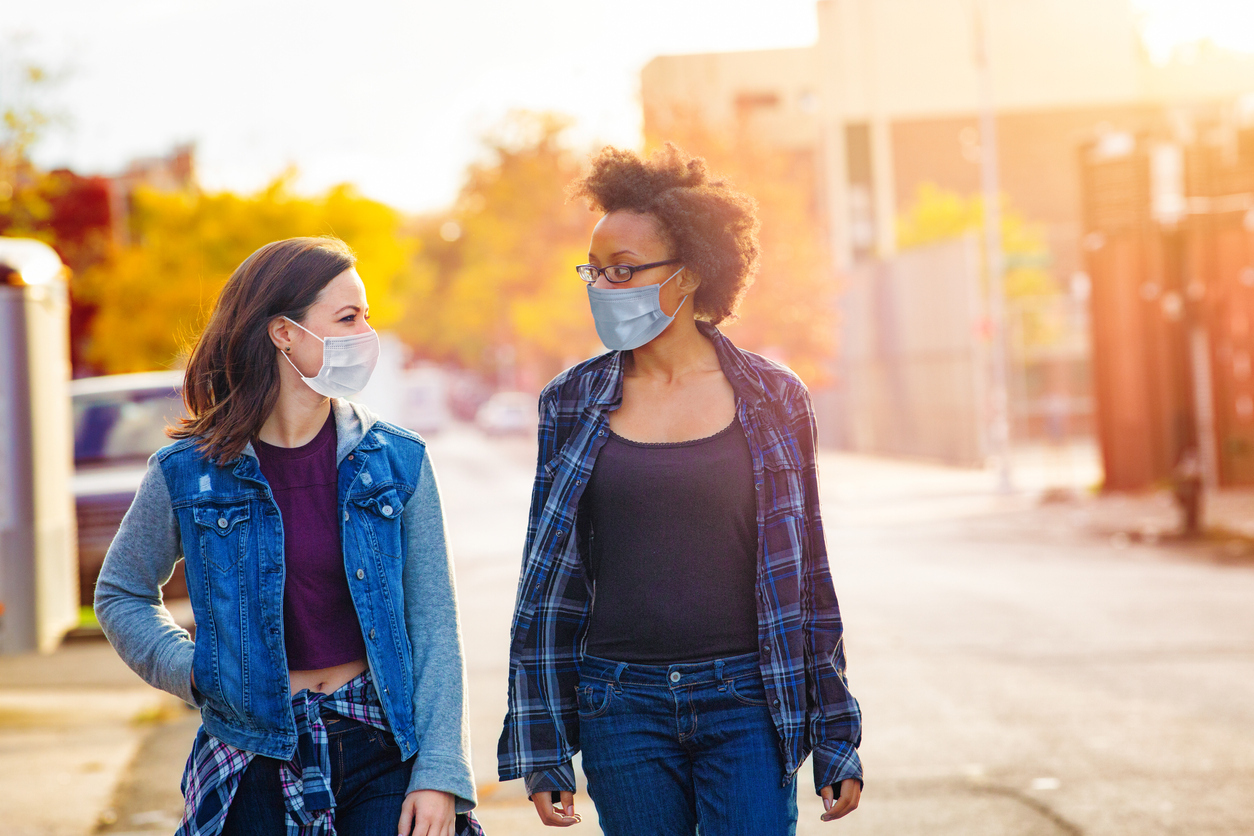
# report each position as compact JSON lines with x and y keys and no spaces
{"x":890,"y":98}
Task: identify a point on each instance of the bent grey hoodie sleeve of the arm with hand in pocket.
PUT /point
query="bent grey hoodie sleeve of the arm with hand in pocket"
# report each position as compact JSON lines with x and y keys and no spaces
{"x":129,"y":601}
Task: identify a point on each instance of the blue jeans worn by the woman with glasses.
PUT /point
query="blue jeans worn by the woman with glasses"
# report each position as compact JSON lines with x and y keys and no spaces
{"x":669,"y":750}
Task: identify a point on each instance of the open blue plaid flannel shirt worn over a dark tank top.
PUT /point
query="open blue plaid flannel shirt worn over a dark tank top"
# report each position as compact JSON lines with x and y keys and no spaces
{"x":799,"y":630}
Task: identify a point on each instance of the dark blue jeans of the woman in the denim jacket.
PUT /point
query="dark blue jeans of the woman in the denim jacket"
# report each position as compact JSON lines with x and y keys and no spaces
{"x":368,"y":778}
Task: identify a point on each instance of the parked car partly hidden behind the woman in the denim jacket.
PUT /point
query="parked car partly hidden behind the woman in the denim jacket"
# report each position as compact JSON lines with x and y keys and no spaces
{"x":120,"y":421}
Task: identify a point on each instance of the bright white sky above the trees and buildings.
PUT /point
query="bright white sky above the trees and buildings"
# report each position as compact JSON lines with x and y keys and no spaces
{"x":396,"y":96}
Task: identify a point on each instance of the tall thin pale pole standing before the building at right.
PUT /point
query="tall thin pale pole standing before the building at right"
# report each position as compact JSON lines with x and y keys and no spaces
{"x":1000,"y":424}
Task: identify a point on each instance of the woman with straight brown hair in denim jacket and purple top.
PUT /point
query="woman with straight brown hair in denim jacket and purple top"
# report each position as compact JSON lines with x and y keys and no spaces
{"x":328,"y":660}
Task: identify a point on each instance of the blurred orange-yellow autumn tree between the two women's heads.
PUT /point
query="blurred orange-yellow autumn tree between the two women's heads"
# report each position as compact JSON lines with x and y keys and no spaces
{"x":498,"y":290}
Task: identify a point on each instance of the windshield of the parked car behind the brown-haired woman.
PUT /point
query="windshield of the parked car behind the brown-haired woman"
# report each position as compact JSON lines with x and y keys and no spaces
{"x":124,"y":427}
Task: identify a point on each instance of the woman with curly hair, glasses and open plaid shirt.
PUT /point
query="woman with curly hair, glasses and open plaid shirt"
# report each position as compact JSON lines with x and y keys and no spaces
{"x":675,"y":619}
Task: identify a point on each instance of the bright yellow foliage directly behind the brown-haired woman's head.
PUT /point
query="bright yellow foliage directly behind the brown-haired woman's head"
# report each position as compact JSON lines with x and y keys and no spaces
{"x":155,"y":296}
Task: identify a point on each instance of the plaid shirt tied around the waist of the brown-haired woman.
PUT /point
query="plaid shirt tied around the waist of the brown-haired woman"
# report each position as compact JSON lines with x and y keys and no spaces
{"x":215,"y":769}
